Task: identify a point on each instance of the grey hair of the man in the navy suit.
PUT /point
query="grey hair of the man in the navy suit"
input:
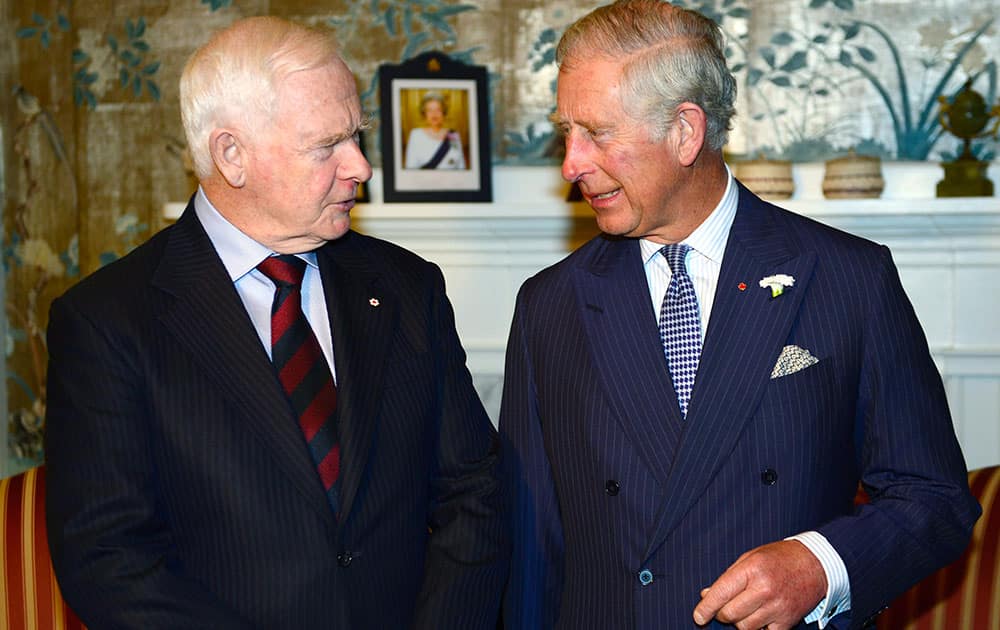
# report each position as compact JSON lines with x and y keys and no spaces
{"x":670,"y":55}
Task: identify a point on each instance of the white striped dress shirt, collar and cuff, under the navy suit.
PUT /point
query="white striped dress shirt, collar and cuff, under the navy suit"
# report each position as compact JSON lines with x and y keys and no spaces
{"x":704,"y":262}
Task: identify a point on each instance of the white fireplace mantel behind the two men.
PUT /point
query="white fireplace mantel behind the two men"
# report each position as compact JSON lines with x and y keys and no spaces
{"x":947,"y":252}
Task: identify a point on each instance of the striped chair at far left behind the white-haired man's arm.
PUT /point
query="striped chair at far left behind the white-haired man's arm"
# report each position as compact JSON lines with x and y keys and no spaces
{"x":29,"y":595}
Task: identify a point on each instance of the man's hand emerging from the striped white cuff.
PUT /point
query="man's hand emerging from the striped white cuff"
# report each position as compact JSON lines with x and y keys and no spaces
{"x":773,"y":587}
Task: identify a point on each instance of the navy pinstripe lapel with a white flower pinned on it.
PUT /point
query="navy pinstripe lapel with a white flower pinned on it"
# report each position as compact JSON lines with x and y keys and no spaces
{"x":746,"y":333}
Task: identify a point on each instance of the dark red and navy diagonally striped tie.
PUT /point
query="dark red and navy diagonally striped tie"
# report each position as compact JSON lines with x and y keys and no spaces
{"x":302,"y":368}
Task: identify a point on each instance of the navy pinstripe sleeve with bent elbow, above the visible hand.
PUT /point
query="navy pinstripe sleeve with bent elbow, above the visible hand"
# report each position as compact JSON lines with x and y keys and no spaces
{"x":921,"y":512}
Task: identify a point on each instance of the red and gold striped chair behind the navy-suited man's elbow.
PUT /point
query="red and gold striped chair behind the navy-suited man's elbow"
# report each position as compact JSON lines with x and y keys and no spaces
{"x":964,"y":595}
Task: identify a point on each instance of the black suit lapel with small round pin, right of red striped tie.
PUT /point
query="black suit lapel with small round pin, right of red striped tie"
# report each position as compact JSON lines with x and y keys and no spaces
{"x":363,"y":314}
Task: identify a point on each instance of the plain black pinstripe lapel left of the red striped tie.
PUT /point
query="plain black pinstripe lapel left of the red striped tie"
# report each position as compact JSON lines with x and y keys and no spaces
{"x":209,"y":320}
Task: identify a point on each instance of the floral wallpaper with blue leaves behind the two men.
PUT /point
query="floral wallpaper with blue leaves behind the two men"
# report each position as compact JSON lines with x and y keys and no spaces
{"x":93,"y":147}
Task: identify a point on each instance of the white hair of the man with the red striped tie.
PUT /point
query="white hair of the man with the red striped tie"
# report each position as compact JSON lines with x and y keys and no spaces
{"x":233,"y":78}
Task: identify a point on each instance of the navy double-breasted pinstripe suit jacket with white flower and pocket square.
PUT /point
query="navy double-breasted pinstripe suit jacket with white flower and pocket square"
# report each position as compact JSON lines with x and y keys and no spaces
{"x":609,"y":480}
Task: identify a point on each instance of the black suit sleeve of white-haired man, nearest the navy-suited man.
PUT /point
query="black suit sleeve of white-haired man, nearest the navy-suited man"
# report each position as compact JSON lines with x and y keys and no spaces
{"x":469,"y":548}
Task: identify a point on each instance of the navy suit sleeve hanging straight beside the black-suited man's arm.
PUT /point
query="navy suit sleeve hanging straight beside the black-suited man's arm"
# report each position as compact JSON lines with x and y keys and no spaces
{"x":532,"y":595}
